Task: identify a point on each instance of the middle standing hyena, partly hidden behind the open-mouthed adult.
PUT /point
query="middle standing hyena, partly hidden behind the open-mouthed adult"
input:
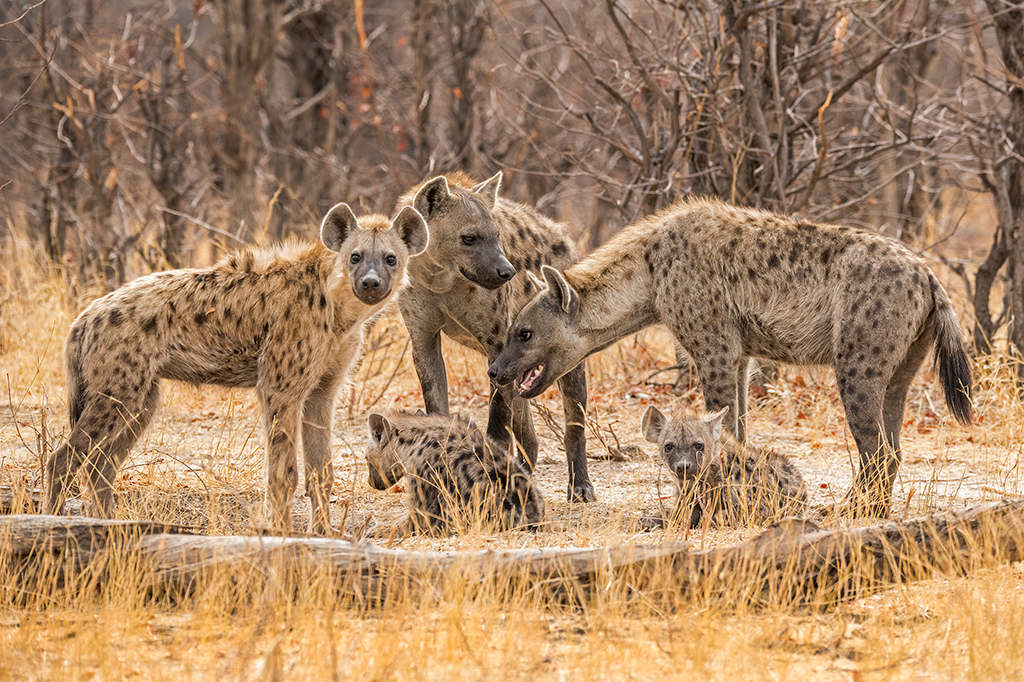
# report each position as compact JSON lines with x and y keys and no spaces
{"x":458,"y":286}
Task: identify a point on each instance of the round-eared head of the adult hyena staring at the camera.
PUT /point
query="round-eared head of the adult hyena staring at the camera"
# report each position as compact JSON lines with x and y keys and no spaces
{"x":375,"y":252}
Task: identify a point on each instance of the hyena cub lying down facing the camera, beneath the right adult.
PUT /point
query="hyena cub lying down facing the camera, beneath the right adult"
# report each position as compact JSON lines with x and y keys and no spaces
{"x":719,"y":477}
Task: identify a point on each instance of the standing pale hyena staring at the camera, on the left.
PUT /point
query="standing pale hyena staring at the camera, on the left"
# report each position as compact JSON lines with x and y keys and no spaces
{"x":287,"y":321}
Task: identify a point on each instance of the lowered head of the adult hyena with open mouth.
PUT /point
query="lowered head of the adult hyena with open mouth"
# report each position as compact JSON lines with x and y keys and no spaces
{"x":544,"y":343}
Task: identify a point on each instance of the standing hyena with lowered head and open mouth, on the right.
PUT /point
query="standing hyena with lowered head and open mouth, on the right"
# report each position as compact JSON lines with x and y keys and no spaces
{"x":734,"y":283}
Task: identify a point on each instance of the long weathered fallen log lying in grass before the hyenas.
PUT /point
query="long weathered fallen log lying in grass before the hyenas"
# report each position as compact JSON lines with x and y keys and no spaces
{"x":794,"y":563}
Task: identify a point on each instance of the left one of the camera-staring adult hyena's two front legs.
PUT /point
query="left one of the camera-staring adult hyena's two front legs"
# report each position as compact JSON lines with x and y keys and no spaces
{"x":281,"y":429}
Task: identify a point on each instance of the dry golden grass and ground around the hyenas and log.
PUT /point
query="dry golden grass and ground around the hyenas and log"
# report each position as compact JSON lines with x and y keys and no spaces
{"x":200,"y":464}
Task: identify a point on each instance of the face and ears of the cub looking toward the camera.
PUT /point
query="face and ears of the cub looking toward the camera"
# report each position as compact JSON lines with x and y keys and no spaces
{"x":691,"y":447}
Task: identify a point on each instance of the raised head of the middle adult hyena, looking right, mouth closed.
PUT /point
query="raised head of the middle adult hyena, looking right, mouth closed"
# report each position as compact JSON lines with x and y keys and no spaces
{"x":464,"y":237}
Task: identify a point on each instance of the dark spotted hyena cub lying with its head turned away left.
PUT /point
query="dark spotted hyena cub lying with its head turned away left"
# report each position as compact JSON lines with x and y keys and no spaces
{"x":458,"y":477}
